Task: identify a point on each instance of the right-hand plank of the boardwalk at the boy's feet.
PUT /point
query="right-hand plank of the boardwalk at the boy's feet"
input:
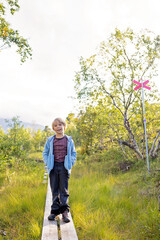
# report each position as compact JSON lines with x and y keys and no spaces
{"x":68,"y":231}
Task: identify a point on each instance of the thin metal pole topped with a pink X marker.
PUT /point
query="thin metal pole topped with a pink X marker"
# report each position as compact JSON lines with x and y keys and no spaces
{"x":143,"y":85}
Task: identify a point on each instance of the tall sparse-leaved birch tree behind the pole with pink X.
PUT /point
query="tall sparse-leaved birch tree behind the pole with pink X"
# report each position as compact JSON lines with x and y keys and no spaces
{"x":104,"y":86}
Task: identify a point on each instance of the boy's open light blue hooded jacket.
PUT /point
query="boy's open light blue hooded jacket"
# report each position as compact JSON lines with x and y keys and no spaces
{"x":48,"y":156}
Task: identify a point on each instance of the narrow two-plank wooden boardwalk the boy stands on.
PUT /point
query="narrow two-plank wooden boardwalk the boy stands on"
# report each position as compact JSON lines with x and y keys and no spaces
{"x":53,"y":230}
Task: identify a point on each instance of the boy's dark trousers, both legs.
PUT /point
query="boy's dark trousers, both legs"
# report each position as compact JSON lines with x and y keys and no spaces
{"x":59,"y":179}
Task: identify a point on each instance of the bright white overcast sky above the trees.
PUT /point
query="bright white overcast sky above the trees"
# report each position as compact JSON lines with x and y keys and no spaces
{"x":60,"y":32}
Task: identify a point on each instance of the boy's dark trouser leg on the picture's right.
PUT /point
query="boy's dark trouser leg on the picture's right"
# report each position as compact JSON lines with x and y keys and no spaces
{"x":63,"y":188}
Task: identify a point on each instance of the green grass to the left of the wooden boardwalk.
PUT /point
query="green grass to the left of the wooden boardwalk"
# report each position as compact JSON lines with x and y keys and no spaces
{"x":22,"y":200}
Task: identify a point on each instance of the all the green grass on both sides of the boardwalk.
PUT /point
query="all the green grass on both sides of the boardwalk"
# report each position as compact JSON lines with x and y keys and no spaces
{"x":107,"y":202}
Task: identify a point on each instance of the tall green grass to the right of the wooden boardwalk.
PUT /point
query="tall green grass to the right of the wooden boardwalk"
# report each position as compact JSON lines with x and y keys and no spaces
{"x":108,"y":204}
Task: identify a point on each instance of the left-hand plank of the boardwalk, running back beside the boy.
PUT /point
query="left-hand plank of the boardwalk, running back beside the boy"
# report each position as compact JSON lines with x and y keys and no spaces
{"x":49,"y":230}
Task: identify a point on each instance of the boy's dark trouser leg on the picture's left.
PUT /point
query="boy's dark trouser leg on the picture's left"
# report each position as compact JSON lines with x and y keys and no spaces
{"x":54,"y":184}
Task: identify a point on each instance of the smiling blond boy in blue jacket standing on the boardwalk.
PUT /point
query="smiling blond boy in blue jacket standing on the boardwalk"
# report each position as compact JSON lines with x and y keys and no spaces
{"x":59,"y":155}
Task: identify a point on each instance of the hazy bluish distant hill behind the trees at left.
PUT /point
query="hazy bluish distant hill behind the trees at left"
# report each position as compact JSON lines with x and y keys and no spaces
{"x":4,"y":125}
